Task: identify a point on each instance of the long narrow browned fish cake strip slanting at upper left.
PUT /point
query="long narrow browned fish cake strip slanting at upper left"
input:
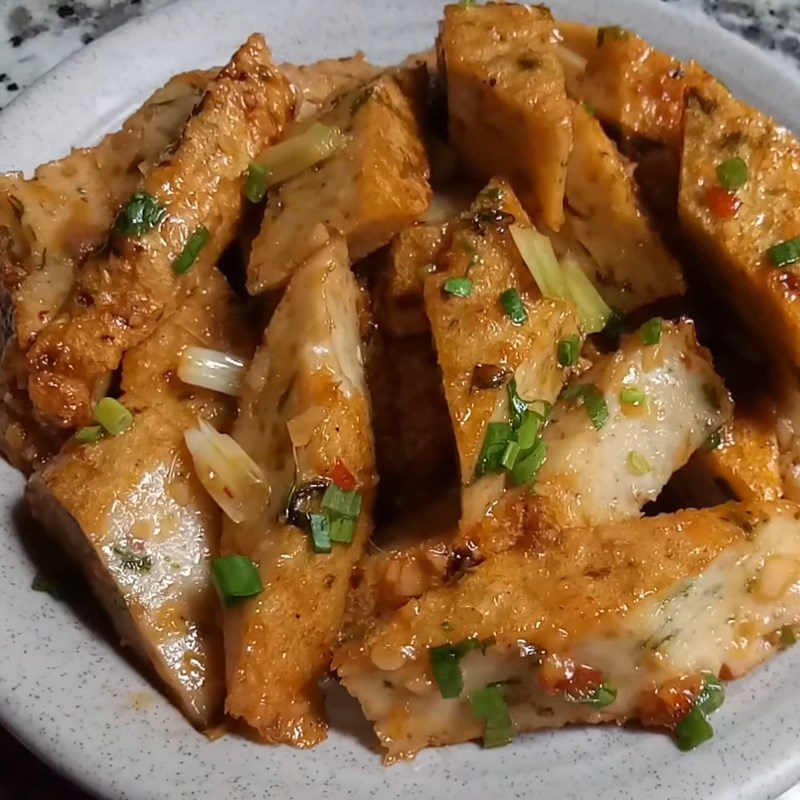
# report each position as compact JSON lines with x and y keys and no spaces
{"x":189,"y":206}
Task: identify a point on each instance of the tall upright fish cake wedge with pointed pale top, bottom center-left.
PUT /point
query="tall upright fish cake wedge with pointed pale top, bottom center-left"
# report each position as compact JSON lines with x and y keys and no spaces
{"x":305,"y":420}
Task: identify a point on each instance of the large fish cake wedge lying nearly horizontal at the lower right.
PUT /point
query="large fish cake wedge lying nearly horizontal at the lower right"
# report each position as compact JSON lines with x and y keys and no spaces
{"x":627,"y":621}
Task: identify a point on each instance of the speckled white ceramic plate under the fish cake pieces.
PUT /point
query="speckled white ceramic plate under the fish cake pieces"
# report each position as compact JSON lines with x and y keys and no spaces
{"x":69,"y":694}
